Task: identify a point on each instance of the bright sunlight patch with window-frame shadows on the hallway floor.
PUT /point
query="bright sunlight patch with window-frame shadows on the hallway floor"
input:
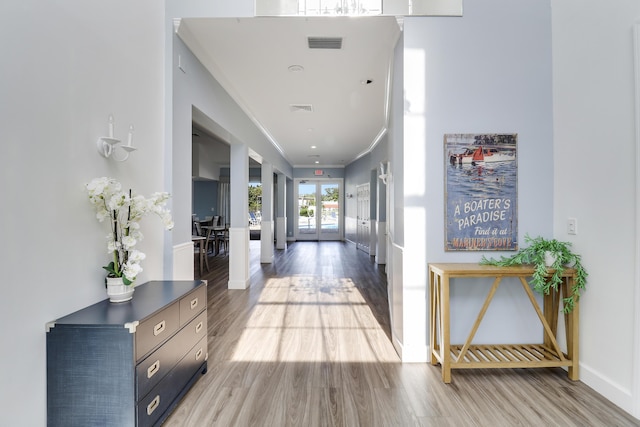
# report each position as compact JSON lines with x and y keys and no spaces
{"x":313,"y":319}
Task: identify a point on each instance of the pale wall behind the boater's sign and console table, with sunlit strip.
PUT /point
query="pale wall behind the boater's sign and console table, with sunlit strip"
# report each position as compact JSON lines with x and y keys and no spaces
{"x":489,"y":71}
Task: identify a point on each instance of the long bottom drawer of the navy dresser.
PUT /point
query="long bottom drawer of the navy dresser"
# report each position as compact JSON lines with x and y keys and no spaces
{"x":162,"y":396}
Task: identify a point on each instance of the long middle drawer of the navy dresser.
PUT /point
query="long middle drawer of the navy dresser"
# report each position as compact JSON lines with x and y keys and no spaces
{"x":153,"y":369}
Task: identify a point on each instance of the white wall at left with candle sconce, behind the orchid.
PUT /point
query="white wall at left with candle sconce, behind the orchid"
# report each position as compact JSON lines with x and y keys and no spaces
{"x":66,"y":66}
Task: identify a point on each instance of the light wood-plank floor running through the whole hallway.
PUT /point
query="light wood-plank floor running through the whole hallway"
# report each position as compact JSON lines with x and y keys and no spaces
{"x":309,"y":345}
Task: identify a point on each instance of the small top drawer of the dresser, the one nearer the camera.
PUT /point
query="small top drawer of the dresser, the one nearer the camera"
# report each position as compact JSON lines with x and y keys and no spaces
{"x":154,"y":330}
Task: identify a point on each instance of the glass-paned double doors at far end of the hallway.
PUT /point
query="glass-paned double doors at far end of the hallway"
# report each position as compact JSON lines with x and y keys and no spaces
{"x":319,"y":209}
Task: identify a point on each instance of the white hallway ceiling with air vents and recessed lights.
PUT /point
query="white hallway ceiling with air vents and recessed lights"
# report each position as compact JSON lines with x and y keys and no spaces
{"x":250,"y":58}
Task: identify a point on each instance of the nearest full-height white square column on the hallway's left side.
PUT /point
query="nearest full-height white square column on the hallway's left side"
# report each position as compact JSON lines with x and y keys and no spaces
{"x":239,"y":228}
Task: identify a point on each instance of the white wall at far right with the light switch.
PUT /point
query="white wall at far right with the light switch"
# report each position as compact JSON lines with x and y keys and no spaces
{"x":595,"y":181}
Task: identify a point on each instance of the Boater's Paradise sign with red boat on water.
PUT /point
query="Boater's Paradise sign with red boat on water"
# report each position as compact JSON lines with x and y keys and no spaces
{"x":481,"y":188}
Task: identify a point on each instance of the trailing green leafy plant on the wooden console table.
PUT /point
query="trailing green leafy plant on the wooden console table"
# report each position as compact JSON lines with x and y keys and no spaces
{"x":544,"y":279}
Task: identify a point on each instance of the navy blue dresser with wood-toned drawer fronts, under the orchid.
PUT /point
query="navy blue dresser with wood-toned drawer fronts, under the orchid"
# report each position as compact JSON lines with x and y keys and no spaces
{"x":127,"y":364}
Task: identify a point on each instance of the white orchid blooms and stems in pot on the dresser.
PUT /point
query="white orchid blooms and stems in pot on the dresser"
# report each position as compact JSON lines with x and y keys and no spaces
{"x":124,"y":211}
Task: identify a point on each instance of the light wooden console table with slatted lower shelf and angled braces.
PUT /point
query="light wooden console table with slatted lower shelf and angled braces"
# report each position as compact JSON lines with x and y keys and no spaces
{"x":468,"y":356}
